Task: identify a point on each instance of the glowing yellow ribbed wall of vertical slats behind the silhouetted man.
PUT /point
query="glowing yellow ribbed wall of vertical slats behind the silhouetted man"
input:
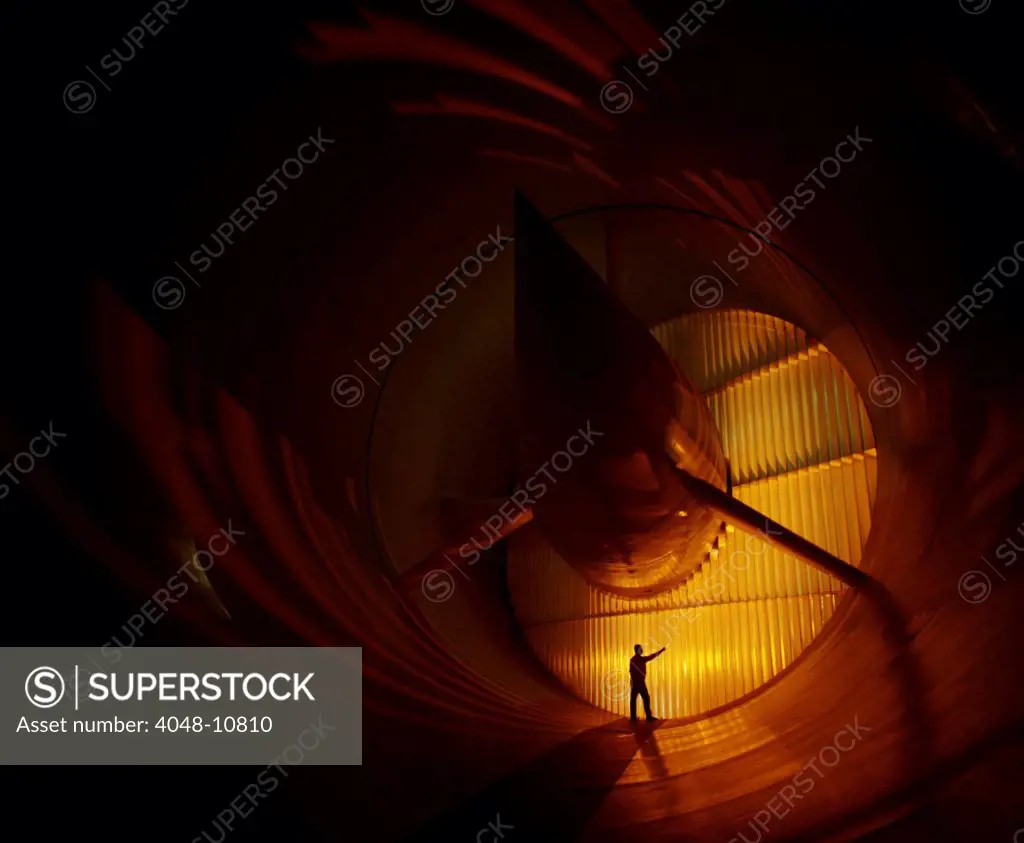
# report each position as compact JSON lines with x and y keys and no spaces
{"x":802,"y":450}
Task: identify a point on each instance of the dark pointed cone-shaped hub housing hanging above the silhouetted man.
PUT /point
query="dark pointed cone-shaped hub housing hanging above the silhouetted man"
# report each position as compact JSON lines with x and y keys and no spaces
{"x":619,"y":512}
